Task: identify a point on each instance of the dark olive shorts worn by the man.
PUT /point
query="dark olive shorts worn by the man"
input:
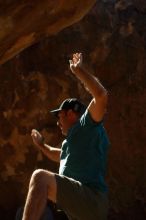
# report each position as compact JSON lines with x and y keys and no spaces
{"x":80,"y":202}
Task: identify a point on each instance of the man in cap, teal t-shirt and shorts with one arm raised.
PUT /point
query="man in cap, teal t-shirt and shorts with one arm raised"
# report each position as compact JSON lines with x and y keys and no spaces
{"x":79,"y":189}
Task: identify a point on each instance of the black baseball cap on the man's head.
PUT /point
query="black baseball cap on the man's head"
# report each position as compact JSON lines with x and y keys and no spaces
{"x":71,"y":103}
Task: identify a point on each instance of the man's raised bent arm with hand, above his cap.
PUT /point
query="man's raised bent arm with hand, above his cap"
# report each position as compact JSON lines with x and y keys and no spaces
{"x":97,"y":106}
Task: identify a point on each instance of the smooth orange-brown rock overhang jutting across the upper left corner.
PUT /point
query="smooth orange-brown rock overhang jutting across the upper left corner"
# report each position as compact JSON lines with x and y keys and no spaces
{"x":23,"y":24}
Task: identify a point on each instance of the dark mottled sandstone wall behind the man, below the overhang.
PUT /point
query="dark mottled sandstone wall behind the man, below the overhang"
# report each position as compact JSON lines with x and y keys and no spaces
{"x":112,"y":38}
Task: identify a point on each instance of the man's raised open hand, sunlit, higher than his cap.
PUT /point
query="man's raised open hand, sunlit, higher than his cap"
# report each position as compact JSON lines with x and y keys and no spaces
{"x":76,"y":62}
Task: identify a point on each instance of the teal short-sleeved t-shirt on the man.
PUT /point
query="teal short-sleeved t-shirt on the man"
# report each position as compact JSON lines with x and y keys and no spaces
{"x":84,"y":153}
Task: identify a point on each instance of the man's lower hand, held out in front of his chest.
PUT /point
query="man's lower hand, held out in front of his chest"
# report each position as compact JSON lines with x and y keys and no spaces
{"x":37,"y":138}
